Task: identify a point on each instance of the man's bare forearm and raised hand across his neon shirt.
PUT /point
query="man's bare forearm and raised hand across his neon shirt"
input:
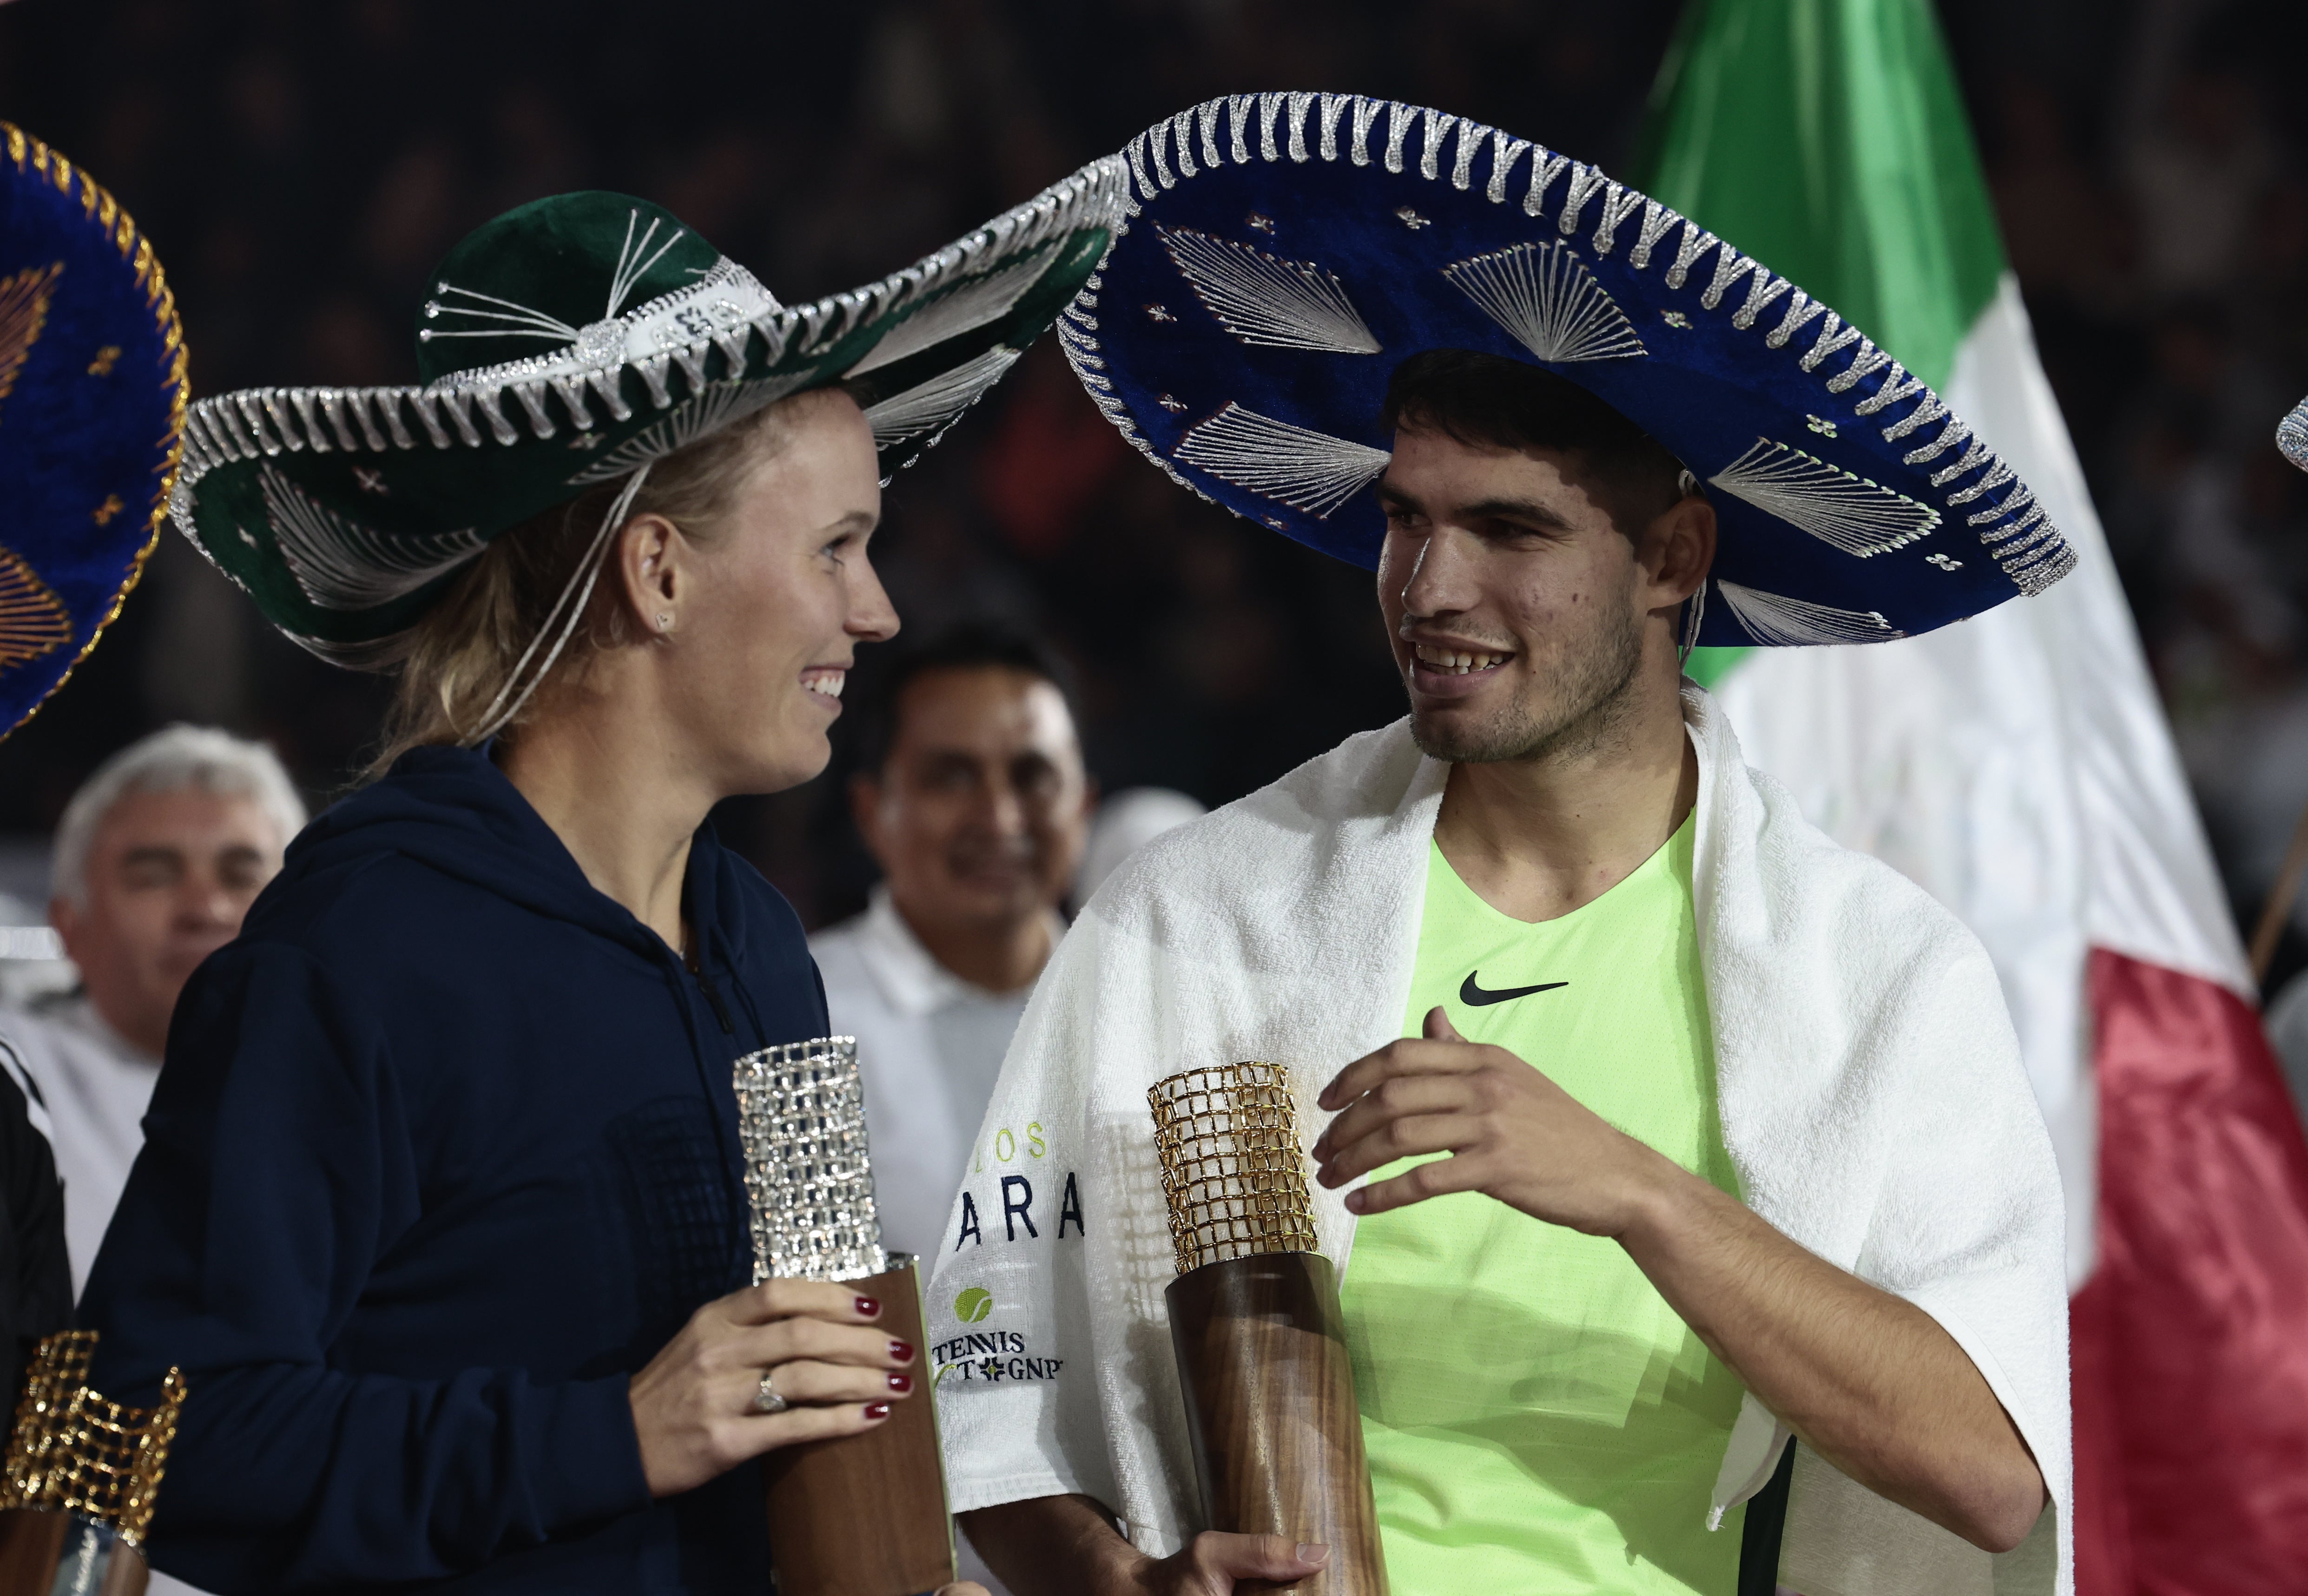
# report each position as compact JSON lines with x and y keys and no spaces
{"x":1868,"y":1380}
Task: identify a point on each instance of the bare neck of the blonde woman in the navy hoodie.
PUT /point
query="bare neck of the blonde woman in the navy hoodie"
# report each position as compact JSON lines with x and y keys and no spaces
{"x":613,"y":792}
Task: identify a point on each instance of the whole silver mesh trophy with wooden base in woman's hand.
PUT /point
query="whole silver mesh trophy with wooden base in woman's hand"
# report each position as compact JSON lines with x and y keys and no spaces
{"x":864,"y":1516}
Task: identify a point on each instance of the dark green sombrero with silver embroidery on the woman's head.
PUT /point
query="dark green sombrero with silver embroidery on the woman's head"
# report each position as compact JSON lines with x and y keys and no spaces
{"x":574,"y":342}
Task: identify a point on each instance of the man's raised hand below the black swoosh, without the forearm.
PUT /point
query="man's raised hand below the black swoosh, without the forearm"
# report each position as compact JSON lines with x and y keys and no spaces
{"x":1508,"y":1131}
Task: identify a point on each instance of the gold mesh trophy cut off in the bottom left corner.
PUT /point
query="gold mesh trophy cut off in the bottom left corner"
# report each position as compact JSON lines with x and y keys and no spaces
{"x":82,"y":1475}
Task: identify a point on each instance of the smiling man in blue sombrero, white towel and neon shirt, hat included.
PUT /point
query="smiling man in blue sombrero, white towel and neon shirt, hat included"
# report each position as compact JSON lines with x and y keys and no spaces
{"x":1695,"y":1224}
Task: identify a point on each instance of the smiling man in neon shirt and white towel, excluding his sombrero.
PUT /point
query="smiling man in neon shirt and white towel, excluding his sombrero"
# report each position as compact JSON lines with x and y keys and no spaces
{"x":1642,"y":1007}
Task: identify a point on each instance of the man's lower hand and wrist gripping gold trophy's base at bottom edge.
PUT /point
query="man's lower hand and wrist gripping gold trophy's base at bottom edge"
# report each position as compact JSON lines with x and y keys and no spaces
{"x":1067,"y":1546}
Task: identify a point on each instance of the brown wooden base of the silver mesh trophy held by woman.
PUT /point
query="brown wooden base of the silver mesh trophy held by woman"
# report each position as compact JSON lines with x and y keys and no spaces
{"x":867,"y":1514}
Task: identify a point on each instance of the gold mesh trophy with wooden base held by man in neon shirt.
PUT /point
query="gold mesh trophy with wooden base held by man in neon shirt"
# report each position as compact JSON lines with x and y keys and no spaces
{"x":1257,"y":1327}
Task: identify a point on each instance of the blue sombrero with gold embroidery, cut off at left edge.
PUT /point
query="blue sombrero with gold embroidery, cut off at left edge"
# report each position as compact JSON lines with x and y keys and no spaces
{"x":91,"y":412}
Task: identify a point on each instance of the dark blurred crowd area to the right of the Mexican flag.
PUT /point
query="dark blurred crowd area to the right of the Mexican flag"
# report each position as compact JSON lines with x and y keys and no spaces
{"x":2157,"y":211}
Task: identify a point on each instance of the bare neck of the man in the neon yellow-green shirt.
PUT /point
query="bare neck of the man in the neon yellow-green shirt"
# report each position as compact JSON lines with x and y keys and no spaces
{"x":1538,"y":838}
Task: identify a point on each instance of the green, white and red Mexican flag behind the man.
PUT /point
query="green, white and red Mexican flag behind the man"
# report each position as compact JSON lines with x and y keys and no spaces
{"x":2021,"y":769}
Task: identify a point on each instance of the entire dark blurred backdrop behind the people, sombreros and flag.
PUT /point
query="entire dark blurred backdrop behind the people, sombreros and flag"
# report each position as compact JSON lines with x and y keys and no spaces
{"x":301,"y":165}
